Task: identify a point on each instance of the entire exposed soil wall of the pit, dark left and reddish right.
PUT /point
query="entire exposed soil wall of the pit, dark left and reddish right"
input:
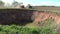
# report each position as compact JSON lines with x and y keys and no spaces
{"x":23,"y":17}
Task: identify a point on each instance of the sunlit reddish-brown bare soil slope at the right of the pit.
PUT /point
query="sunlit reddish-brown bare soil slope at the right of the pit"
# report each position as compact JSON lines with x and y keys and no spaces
{"x":42,"y":16}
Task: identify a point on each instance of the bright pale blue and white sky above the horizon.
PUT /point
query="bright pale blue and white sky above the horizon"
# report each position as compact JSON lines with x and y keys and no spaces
{"x":37,"y":2}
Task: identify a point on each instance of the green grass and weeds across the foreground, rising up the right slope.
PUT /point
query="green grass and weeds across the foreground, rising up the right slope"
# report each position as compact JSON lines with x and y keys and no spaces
{"x":46,"y":27}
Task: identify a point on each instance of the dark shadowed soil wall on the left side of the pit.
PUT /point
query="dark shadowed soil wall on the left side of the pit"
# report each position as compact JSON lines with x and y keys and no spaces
{"x":16,"y":16}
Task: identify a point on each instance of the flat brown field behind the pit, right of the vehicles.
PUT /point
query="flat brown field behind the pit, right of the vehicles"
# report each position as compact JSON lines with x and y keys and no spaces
{"x":57,"y":8}
